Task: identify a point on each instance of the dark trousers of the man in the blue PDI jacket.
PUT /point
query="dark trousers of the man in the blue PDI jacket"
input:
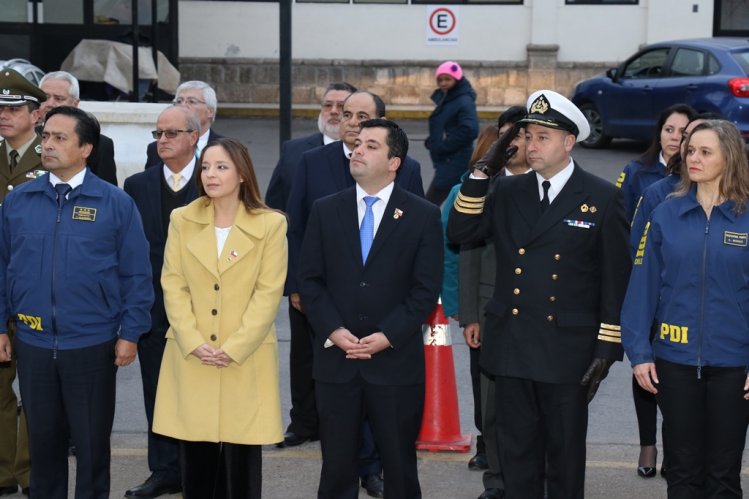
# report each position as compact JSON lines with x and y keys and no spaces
{"x":68,"y":398}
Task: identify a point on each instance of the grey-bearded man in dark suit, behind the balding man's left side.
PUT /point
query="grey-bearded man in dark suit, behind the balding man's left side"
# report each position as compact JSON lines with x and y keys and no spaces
{"x":328,"y":122}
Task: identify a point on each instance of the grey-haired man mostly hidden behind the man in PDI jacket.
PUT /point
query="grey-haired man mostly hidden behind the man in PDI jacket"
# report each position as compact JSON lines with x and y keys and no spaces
{"x":62,"y":89}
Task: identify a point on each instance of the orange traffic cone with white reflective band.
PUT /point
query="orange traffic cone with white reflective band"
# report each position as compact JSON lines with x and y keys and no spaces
{"x":440,"y":425}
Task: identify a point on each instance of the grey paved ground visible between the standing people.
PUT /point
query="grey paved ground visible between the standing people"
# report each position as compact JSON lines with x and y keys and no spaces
{"x":293,"y":473}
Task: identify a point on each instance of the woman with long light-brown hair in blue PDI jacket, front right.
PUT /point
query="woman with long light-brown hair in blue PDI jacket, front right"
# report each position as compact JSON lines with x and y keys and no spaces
{"x":691,"y":277}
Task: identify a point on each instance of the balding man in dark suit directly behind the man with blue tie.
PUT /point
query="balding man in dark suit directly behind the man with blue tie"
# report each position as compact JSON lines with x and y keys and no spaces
{"x":321,"y":172}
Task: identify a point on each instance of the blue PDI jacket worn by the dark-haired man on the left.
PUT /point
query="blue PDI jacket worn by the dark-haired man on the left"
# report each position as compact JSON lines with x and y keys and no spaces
{"x":78,"y":276}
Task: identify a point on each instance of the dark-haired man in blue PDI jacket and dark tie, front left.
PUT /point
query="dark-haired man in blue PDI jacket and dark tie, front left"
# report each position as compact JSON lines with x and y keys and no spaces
{"x":76,"y":280}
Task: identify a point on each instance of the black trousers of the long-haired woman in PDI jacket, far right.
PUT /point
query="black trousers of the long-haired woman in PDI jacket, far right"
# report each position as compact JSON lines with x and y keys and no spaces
{"x":706,"y":420}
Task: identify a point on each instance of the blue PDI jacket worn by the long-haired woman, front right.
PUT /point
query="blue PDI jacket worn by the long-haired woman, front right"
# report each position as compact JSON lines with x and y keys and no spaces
{"x":691,"y":277}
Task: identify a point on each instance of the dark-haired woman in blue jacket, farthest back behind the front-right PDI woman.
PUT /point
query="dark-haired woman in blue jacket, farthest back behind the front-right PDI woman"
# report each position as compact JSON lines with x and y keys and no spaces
{"x":651,"y":166}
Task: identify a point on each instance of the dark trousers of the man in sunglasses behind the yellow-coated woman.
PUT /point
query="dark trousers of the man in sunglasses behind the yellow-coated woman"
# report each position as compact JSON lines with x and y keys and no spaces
{"x":163,"y":452}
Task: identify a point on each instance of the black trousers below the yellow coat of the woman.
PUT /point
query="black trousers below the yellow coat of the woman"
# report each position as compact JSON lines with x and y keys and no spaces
{"x":221,"y":470}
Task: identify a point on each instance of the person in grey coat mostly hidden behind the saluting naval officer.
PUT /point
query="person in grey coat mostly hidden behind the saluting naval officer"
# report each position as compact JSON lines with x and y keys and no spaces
{"x":477,"y":269}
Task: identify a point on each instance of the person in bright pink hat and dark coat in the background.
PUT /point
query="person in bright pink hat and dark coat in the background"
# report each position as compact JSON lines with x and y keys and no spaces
{"x":453,"y":125}
